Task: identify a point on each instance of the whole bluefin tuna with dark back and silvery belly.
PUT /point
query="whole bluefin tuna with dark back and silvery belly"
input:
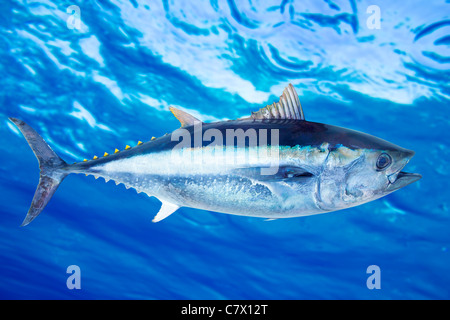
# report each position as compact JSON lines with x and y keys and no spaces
{"x":272,"y":164}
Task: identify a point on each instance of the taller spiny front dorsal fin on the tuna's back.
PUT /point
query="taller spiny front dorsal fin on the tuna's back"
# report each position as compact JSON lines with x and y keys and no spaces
{"x":288,"y":107}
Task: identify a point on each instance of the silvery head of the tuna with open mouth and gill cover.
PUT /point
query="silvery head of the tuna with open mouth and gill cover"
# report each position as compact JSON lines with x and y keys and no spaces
{"x":367,"y":170}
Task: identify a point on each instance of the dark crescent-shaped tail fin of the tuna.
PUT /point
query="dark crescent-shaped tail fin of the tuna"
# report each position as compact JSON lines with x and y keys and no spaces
{"x":51,"y":166}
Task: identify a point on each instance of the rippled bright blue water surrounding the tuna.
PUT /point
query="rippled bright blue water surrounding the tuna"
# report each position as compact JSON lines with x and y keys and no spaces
{"x":109,"y":83}
